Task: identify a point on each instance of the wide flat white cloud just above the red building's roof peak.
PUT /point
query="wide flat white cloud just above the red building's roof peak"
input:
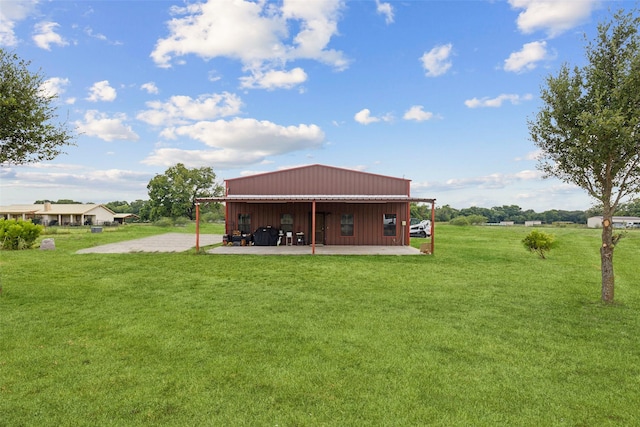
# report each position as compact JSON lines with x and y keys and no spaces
{"x":236,"y":142}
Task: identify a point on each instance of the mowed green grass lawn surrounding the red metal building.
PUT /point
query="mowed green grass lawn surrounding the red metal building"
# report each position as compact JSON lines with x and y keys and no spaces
{"x":481,"y":333}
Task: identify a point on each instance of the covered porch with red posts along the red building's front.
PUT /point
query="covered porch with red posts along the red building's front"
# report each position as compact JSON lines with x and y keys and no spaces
{"x":381,"y":221}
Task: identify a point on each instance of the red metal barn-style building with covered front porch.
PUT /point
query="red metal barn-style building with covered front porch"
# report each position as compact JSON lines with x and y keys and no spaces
{"x":319,"y":205}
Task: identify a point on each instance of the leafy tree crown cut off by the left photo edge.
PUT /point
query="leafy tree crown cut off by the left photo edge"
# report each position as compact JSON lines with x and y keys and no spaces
{"x":28,"y":132}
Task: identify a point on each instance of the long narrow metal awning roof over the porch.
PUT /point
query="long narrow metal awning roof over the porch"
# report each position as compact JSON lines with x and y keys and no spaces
{"x":311,"y":198}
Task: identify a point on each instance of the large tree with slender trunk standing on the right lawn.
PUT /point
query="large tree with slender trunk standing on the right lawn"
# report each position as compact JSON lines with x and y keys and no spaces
{"x":588,"y":128}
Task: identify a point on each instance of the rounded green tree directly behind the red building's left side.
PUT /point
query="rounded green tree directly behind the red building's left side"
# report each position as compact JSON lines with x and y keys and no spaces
{"x":174,"y":193}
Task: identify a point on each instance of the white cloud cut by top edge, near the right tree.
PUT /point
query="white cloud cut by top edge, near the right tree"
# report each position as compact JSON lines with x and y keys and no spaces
{"x":552,"y":16}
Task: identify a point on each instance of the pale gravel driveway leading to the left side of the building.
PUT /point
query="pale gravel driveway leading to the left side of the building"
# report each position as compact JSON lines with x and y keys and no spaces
{"x":169,"y":242}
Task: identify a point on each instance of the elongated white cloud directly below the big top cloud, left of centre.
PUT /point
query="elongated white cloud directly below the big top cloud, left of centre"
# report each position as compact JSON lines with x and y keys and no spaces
{"x":183,"y":109}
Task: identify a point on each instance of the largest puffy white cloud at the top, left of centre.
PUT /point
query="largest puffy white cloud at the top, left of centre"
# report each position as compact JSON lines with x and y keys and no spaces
{"x":255,"y":33}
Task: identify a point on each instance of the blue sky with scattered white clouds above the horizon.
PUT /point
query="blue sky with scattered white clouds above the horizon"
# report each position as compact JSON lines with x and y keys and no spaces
{"x":438,"y":92}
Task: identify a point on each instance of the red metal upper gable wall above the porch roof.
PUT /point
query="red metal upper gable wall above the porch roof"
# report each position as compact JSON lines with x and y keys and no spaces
{"x":317,"y":180}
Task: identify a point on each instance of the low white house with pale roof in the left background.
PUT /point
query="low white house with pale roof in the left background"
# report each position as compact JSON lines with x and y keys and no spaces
{"x":60,"y":214}
